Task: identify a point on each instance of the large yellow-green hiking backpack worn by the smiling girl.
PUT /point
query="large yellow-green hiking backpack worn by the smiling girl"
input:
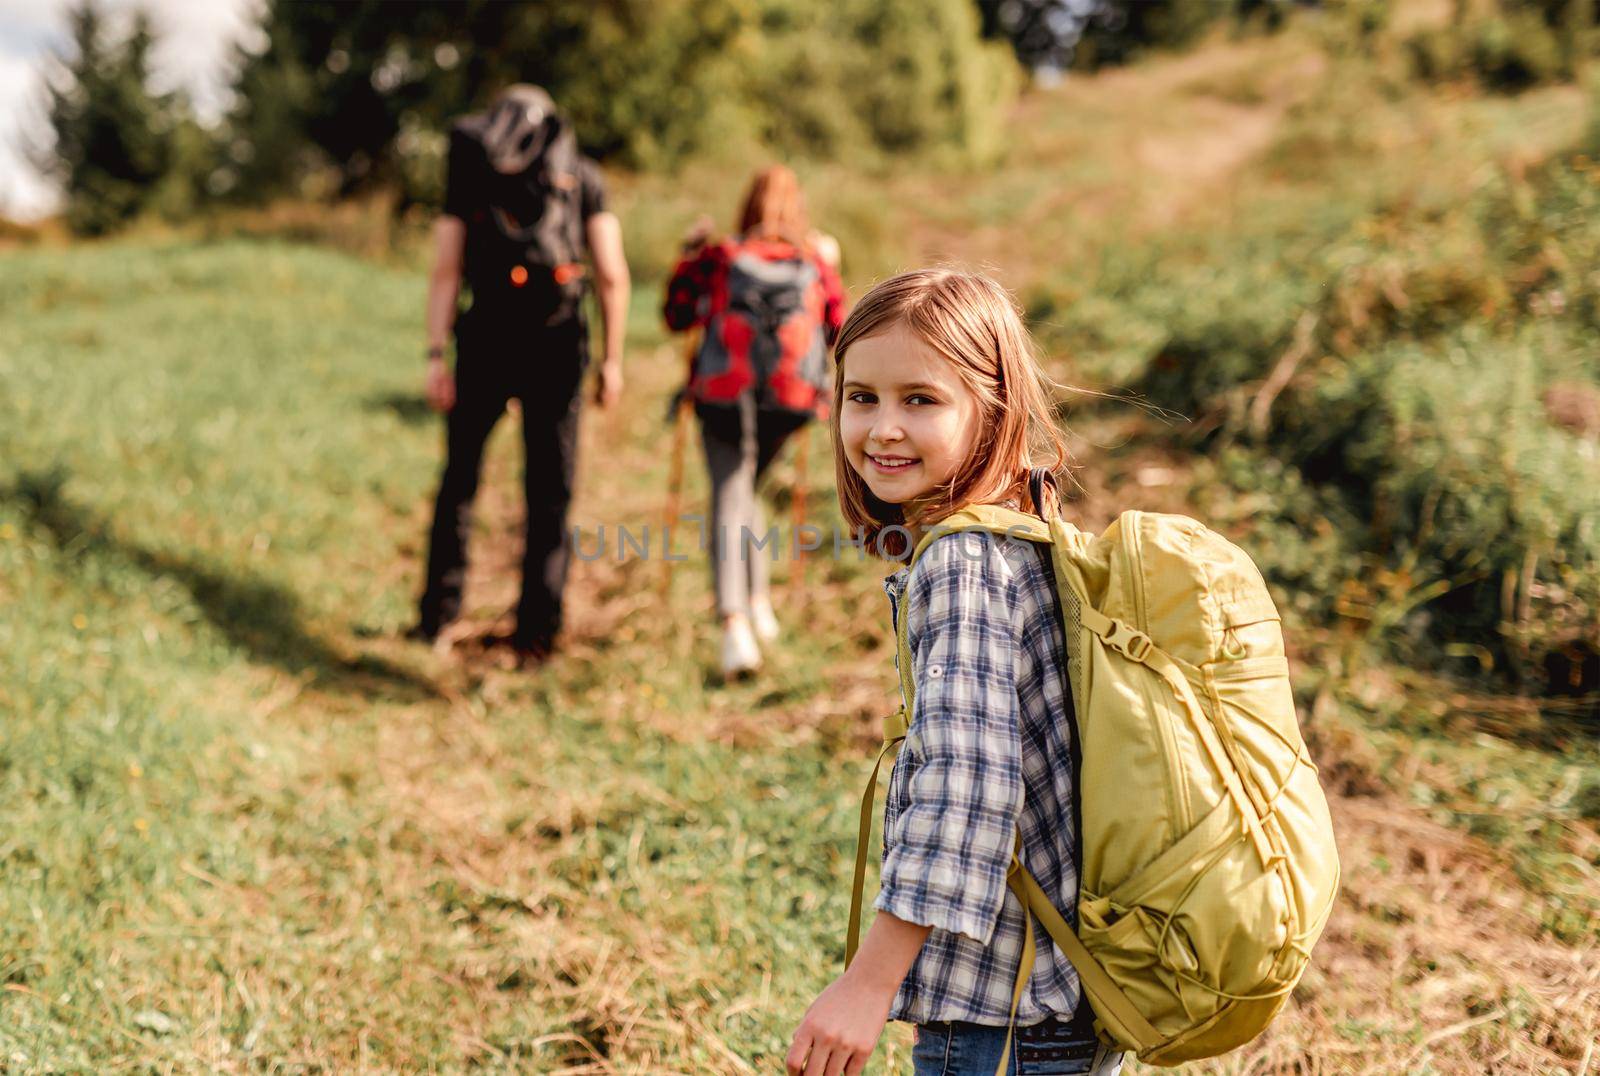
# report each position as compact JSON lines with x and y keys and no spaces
{"x":1209,"y":865}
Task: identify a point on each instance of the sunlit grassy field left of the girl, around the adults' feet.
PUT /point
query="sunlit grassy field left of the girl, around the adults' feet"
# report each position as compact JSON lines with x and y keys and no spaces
{"x":244,"y":824}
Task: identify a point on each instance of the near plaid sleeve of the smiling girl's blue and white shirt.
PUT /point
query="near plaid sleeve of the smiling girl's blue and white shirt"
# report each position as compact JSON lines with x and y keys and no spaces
{"x":951,"y":843}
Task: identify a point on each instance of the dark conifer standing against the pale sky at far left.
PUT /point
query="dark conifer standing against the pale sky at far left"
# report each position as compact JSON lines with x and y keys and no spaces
{"x":114,"y":139}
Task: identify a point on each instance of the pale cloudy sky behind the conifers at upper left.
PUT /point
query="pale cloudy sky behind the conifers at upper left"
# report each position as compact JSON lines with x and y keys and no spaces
{"x":193,"y":49}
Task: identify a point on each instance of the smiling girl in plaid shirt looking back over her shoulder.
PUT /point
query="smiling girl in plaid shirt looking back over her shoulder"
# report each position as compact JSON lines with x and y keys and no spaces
{"x":942,"y":404}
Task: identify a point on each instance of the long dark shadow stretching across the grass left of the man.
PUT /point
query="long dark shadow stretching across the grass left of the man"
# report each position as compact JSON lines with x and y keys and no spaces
{"x":254,"y":614}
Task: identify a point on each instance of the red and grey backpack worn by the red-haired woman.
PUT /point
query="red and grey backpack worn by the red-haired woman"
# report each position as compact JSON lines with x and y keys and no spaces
{"x":766,"y":334}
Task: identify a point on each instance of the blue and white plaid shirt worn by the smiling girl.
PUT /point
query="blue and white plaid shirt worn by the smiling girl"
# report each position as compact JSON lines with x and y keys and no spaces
{"x":991,"y":721}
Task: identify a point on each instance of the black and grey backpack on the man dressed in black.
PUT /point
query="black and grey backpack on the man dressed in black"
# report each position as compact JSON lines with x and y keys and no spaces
{"x":526,"y":231}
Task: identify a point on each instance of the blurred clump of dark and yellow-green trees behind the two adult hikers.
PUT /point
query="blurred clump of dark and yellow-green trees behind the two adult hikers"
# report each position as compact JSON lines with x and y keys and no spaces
{"x":364,"y":92}
